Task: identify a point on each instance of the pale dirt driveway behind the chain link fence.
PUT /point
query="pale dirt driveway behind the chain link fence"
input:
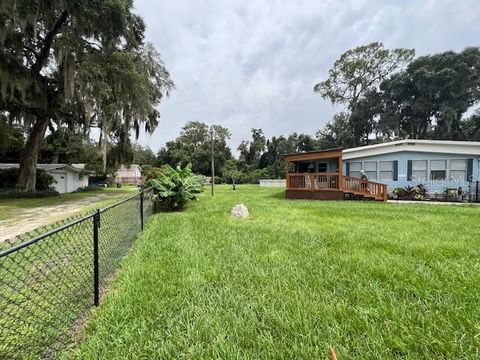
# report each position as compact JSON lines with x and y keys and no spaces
{"x":28,"y":219}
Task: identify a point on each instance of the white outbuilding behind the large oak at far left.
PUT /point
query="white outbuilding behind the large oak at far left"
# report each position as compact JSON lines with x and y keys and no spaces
{"x":67,"y":178}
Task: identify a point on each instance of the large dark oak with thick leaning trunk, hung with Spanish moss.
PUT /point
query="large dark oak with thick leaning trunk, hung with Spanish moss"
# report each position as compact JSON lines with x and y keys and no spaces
{"x":43,"y":46}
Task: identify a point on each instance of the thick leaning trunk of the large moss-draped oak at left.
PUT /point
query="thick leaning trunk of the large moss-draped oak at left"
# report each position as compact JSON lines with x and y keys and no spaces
{"x":28,"y":161}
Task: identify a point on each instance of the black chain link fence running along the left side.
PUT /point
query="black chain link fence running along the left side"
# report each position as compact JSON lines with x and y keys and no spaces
{"x":49,"y":279}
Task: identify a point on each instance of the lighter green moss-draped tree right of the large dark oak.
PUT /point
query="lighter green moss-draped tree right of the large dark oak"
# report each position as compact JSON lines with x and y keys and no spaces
{"x":123,"y":88}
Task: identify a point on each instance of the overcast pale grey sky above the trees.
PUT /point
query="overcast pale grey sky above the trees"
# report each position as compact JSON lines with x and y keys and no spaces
{"x":253,"y":63}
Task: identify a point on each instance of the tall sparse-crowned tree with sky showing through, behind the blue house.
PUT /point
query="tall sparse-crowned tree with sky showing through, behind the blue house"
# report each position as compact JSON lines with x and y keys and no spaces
{"x":357,"y":72}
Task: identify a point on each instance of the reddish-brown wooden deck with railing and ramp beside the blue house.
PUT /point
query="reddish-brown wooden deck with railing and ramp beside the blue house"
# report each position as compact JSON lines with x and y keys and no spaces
{"x":333,"y":186}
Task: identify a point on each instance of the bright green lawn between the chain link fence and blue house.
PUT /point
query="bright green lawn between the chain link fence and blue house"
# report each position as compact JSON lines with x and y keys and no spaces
{"x":374,"y":280}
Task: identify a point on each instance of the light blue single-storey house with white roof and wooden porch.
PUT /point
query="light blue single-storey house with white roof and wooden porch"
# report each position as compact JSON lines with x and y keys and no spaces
{"x":438,"y":164}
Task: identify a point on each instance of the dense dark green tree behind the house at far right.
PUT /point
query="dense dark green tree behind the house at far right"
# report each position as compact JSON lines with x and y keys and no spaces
{"x":429,"y":98}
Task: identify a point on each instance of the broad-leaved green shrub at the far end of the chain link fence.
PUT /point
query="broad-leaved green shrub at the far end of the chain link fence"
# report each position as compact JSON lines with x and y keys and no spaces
{"x":174,"y":187}
